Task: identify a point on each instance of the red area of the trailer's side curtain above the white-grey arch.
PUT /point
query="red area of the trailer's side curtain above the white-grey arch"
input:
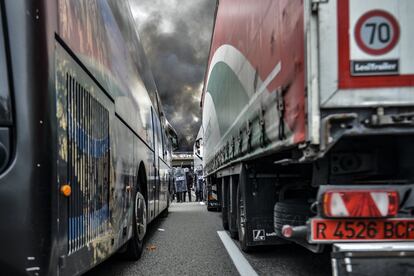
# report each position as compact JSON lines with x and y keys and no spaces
{"x":254,"y":28}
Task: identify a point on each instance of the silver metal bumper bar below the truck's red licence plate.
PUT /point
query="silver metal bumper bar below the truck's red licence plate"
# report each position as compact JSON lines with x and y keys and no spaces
{"x":373,"y":259}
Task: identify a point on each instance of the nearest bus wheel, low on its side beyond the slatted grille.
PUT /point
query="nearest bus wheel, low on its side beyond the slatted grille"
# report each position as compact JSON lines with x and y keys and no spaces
{"x":136,"y":243}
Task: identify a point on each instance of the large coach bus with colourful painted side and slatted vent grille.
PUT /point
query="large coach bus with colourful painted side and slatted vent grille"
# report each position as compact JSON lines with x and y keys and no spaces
{"x":85,"y":146}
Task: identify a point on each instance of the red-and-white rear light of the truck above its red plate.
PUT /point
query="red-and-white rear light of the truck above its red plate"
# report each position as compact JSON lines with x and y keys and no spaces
{"x":366,"y":204}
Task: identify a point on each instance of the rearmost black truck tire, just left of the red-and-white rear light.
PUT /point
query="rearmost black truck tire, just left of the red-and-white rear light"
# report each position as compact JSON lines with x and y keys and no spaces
{"x":290,"y":212}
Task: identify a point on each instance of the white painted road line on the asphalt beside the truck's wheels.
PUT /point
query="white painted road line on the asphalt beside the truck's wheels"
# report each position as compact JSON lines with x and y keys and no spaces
{"x":240,"y":262}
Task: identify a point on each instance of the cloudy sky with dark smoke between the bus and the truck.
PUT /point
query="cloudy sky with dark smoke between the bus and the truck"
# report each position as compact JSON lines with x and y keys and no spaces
{"x":176,"y":37}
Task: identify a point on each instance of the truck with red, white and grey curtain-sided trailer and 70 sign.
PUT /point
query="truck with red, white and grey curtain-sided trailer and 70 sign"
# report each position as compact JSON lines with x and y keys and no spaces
{"x":307,"y":117}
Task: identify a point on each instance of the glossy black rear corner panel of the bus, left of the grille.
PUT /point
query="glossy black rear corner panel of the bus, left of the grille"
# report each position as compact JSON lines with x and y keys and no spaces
{"x":28,"y":182}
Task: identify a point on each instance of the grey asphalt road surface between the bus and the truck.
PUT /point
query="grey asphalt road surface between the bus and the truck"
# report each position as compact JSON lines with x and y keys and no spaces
{"x":187,"y":243}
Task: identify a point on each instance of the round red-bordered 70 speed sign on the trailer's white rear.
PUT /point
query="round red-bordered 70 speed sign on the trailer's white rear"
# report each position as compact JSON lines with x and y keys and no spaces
{"x":377,"y":32}
